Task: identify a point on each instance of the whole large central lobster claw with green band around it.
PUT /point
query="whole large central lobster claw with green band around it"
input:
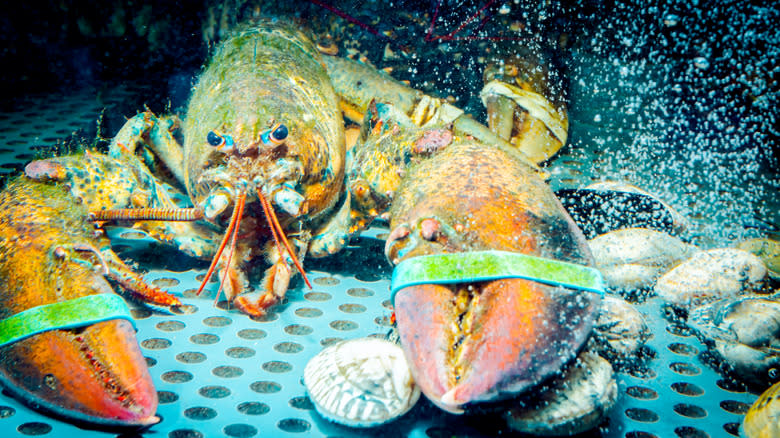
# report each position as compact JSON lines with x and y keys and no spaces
{"x":484,"y":313}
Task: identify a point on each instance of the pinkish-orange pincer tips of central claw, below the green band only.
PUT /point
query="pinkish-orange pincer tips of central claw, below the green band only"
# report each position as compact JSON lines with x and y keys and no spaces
{"x":490,"y":340}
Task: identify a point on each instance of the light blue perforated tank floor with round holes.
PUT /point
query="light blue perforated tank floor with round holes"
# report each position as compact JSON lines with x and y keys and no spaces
{"x":220,"y":373}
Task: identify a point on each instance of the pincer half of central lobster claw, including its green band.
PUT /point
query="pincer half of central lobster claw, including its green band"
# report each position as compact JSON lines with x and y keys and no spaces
{"x":490,"y":339}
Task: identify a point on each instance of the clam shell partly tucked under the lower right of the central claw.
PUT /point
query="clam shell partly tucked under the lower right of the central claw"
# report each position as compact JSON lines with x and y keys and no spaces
{"x":576,"y":402}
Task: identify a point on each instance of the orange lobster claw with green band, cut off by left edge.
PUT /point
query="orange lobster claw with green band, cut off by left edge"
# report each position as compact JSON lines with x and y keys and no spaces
{"x":76,"y":360}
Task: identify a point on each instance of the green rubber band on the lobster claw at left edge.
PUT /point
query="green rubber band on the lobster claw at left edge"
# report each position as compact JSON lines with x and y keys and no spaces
{"x":69,"y":314}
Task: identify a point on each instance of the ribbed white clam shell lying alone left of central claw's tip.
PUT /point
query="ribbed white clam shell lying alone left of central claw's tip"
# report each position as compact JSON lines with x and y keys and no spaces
{"x":361,"y":382}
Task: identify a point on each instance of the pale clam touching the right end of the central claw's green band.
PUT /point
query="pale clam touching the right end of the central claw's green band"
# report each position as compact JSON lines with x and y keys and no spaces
{"x":633,"y":258}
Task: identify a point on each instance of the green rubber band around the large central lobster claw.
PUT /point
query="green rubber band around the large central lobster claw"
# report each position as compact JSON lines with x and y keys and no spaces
{"x":466,"y":267}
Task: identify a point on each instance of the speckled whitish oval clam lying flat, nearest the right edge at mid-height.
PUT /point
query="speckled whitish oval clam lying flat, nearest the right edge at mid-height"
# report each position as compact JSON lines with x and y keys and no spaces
{"x":710,"y":275}
